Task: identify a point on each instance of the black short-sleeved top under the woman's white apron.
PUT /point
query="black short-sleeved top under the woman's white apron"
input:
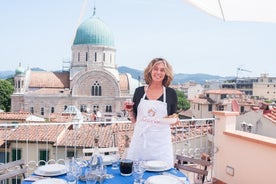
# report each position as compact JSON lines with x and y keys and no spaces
{"x":171,"y":99}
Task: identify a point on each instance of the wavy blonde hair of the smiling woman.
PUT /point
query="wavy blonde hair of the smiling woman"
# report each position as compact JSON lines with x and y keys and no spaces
{"x":168,"y":71}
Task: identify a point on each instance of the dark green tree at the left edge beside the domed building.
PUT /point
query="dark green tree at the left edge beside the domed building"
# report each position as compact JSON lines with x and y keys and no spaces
{"x":6,"y":89}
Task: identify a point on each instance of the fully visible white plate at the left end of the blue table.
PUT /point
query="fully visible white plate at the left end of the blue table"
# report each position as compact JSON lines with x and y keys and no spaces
{"x":51,"y":170}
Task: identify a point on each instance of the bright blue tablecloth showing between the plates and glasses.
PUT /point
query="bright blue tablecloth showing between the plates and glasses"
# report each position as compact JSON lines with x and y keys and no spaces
{"x":119,"y":179}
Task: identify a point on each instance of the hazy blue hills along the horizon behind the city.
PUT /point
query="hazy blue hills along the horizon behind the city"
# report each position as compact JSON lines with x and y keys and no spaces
{"x":179,"y":78}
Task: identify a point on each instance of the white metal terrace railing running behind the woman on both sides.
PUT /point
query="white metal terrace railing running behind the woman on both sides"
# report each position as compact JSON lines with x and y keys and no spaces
{"x":40,"y":143}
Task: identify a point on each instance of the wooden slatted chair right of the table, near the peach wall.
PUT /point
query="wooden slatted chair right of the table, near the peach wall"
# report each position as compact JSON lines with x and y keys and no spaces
{"x":198,"y":166}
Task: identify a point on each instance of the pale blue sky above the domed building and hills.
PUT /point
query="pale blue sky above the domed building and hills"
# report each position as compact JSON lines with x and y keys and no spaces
{"x":40,"y":33}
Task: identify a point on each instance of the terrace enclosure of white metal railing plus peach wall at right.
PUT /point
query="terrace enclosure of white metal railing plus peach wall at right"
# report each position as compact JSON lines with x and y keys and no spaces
{"x":237,"y":156}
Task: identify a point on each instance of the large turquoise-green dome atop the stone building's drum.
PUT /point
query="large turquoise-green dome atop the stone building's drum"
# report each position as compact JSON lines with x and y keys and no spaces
{"x":94,"y":31}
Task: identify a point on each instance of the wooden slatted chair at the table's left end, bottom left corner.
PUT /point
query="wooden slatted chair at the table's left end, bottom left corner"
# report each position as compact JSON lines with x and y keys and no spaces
{"x":12,"y":169}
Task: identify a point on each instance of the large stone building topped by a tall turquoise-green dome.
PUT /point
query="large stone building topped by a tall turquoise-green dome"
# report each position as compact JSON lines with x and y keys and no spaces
{"x":91,"y":83}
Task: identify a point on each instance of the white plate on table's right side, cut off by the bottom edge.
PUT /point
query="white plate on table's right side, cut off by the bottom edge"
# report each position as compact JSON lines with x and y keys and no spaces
{"x":162,"y":179}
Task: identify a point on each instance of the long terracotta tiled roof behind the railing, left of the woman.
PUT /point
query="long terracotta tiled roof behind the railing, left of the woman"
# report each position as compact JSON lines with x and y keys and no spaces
{"x":65,"y":135}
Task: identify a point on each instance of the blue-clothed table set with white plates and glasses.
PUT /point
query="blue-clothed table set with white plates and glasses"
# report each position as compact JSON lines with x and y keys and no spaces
{"x":115,"y":171}
